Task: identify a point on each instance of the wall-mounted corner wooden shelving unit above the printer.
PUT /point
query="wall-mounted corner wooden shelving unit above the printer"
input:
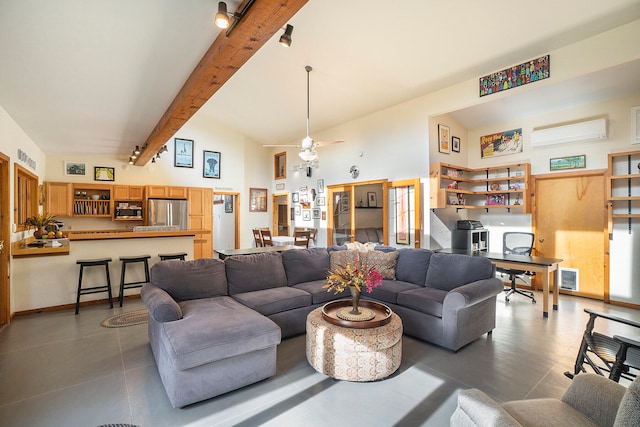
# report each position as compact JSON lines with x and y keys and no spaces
{"x":497,"y":187}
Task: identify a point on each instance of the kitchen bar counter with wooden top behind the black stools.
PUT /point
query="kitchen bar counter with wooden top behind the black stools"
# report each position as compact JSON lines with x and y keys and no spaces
{"x":45,"y":278}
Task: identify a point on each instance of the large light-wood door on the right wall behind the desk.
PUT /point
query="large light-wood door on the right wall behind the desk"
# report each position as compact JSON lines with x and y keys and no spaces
{"x":570,"y":222}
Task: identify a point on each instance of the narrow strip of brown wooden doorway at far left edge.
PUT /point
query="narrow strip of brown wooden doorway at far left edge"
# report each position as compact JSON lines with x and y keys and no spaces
{"x":5,"y":241}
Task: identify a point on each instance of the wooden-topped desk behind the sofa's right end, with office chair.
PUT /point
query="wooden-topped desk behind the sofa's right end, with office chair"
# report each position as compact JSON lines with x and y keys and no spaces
{"x":545,"y":266}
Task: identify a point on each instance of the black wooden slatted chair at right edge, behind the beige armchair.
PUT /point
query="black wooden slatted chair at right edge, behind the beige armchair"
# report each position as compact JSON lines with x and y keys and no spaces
{"x":620,"y":356}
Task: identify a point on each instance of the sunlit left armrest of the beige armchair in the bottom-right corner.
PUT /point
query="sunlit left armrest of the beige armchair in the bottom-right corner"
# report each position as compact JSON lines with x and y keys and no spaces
{"x":475,"y":408}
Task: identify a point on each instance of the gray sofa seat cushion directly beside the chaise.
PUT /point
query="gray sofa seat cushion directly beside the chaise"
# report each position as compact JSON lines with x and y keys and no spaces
{"x":274,"y":300}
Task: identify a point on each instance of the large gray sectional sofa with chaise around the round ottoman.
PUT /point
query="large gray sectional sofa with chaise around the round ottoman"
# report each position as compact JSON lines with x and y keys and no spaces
{"x":214,"y":326}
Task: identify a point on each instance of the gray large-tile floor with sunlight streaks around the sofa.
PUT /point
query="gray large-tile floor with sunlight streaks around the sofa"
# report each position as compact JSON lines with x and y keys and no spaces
{"x":58,"y":369}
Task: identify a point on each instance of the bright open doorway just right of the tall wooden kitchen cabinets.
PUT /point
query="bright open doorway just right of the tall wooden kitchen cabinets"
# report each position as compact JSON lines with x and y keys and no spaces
{"x":226,"y":220}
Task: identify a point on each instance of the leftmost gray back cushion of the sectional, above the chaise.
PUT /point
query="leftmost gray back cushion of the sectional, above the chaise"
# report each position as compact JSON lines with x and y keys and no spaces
{"x":185,"y":280}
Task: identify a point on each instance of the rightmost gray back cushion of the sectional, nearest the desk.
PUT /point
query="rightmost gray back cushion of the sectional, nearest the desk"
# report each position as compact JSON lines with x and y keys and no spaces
{"x":448,"y":271}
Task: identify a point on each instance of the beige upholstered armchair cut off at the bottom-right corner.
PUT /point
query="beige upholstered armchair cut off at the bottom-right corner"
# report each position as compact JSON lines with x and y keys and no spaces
{"x":590,"y":400}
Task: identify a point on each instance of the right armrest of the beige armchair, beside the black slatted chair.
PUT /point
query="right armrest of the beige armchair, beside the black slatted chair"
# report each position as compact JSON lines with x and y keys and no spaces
{"x":595,"y":396}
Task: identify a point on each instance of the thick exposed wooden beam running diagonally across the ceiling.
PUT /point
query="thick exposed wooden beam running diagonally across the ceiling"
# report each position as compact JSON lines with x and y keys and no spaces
{"x":225,"y":56}
